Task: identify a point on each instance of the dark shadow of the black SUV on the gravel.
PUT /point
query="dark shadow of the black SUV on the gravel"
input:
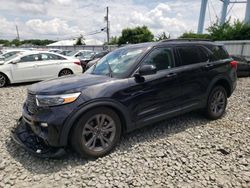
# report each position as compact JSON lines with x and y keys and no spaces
{"x":160,"y":130}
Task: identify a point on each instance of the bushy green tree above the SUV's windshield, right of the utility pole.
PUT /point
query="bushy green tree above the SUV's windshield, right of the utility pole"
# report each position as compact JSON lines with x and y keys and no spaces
{"x":135,"y":35}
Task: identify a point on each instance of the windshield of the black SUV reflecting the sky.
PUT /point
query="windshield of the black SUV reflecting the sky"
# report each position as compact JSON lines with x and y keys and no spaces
{"x":116,"y":63}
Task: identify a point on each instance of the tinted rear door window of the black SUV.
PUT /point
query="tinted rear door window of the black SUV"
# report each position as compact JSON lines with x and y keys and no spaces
{"x":191,"y":55}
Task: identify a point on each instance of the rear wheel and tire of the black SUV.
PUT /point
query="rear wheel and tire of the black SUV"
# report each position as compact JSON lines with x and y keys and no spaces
{"x":216,"y":104}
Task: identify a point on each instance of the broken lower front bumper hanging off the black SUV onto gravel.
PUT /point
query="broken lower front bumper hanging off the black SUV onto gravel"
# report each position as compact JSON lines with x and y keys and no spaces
{"x":23,"y":135}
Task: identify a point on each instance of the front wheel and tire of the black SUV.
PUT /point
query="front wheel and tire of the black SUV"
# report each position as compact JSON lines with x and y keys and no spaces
{"x":89,"y":137}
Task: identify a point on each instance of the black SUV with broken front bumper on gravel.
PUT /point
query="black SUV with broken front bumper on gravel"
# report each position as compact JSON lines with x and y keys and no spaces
{"x":131,"y":87}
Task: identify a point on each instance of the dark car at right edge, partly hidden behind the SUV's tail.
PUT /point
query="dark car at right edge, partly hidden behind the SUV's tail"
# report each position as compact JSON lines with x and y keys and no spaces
{"x":243,"y":69}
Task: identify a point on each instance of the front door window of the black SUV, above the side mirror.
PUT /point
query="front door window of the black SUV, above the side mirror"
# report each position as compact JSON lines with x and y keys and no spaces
{"x":161,"y":58}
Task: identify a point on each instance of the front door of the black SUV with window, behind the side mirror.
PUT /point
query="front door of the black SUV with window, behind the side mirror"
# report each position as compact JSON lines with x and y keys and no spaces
{"x":158,"y":95}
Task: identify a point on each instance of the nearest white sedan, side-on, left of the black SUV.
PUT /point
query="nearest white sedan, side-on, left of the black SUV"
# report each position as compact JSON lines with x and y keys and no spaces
{"x":36,"y":66}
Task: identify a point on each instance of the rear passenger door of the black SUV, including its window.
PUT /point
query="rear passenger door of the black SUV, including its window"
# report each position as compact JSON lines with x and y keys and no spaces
{"x":194,"y":80}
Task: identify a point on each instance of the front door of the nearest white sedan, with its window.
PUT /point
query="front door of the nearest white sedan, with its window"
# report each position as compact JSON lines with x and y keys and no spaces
{"x":26,"y":69}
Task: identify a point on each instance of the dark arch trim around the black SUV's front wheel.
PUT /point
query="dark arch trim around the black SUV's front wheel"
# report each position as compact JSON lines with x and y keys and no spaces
{"x":70,"y":122}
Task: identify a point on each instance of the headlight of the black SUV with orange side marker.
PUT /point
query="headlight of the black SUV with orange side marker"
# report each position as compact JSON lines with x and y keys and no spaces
{"x":54,"y":100}
